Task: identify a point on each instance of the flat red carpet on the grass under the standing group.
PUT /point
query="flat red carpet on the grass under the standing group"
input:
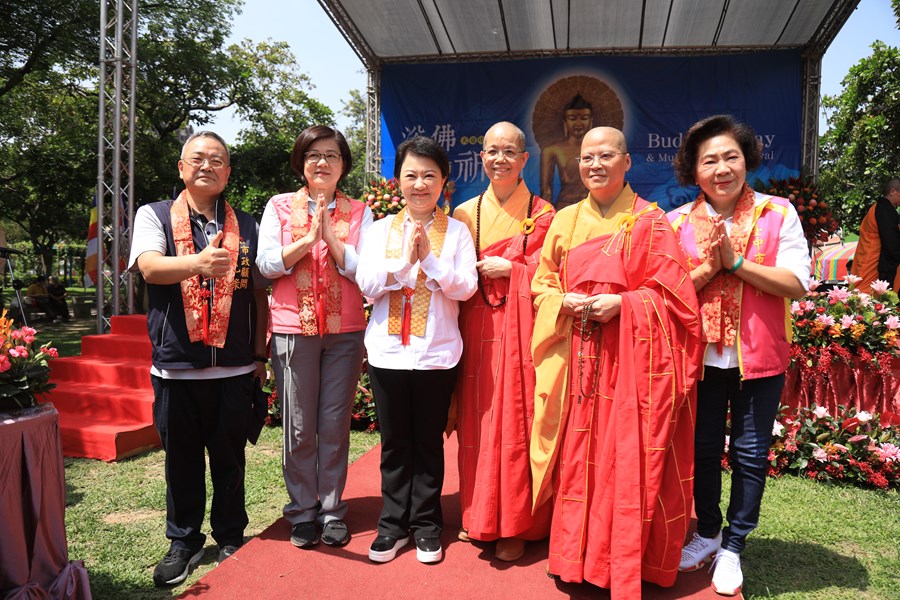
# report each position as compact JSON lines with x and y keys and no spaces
{"x":270,"y":567}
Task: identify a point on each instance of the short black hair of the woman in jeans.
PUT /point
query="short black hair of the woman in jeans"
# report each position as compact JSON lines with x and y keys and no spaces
{"x":685,"y":162}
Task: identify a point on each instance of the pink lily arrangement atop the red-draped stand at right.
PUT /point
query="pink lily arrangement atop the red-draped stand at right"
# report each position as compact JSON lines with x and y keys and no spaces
{"x":846,"y":323}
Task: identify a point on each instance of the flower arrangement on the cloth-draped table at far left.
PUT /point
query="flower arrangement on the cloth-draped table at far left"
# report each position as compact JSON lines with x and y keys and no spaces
{"x":24,"y":370}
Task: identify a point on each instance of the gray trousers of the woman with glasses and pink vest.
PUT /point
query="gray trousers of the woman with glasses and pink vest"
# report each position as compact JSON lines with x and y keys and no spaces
{"x":316,"y":378}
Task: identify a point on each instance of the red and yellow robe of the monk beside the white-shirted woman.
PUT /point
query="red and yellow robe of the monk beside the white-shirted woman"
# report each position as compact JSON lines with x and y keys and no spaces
{"x":495,"y":387}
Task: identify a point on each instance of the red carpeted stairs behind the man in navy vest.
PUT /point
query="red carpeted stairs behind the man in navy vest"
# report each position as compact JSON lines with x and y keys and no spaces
{"x":104,"y":397}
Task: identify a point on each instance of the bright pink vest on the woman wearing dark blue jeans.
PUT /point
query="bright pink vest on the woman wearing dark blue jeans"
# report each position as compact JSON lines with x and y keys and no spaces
{"x":764,"y":331}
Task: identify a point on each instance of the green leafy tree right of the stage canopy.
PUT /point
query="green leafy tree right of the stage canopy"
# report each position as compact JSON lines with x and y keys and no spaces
{"x":859,"y":150}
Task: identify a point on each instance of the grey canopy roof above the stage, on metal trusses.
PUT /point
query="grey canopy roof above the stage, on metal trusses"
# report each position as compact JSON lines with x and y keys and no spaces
{"x":387,"y":31}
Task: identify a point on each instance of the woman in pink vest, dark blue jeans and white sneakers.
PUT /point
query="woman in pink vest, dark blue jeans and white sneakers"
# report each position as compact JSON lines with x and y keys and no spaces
{"x":748,"y":255}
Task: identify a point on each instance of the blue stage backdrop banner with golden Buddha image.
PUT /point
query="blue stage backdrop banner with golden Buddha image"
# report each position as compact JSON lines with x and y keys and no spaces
{"x":653,"y":100}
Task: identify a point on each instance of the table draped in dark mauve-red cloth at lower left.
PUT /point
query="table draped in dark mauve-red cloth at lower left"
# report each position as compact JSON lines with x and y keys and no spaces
{"x":34,"y":556}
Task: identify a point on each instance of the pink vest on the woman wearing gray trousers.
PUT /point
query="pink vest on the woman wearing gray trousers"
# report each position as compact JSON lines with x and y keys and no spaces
{"x":283,"y":304}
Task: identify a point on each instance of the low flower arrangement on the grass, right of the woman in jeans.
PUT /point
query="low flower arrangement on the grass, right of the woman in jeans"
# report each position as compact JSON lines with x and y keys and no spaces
{"x":851,"y":447}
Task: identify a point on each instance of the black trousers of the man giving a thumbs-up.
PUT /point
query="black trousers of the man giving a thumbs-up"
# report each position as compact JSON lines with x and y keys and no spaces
{"x":194,"y":416}
